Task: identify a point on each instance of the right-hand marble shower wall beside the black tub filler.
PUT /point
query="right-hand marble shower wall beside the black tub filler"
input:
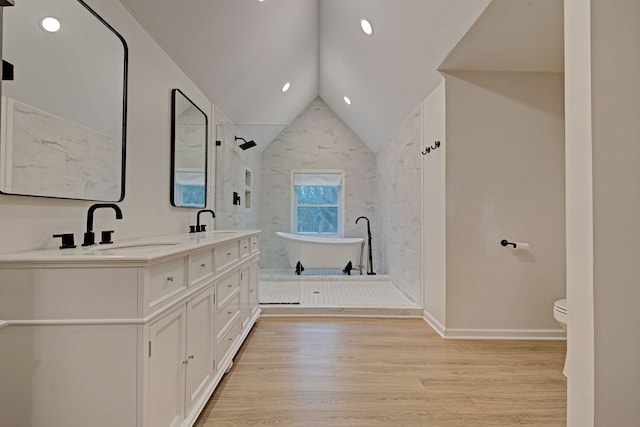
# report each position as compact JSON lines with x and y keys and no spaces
{"x":399,"y":206}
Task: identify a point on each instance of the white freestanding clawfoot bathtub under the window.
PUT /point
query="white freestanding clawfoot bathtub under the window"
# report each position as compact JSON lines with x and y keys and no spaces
{"x":322,"y":252}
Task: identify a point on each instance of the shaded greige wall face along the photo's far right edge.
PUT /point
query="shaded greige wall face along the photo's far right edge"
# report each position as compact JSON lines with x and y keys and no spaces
{"x":615,"y":67}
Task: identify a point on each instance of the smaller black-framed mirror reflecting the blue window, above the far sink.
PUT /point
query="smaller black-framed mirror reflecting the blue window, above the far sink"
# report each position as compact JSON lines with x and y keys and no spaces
{"x":189,"y":152}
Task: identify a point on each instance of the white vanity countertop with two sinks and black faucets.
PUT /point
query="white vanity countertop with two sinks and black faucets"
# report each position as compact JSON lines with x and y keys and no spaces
{"x":138,"y":251}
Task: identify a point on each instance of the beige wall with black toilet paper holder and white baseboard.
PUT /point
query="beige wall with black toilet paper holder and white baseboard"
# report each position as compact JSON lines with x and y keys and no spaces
{"x":504,"y":180}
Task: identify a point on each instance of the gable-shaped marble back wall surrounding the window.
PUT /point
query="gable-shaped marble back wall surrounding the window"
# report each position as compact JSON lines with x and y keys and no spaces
{"x":316,"y":139}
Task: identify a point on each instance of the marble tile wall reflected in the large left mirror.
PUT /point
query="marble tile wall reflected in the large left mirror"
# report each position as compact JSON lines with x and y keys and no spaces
{"x":46,"y":164}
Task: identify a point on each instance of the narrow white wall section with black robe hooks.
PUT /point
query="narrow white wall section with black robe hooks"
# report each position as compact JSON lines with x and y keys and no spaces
{"x":433,"y":210}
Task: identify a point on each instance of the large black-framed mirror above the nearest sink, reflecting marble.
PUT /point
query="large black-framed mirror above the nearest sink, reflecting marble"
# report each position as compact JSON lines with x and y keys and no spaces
{"x":64,"y":112}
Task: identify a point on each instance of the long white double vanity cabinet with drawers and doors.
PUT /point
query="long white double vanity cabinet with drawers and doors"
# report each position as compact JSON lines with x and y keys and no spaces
{"x":121,"y":337}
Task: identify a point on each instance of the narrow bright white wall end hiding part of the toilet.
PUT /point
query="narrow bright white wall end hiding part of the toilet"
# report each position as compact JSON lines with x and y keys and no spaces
{"x":579,"y":214}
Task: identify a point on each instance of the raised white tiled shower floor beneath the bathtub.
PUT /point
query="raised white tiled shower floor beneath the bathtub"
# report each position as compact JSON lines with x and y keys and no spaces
{"x":322,"y":292}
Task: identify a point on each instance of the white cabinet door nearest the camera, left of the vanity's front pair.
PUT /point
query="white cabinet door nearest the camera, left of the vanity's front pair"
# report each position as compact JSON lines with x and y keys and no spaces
{"x":166,"y":370}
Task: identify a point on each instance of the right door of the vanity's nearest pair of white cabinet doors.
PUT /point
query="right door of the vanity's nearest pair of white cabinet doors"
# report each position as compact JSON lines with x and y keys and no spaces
{"x":200,"y":336}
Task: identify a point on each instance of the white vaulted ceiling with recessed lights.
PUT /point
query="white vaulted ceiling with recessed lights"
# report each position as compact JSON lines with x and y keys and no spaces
{"x":240,"y":53}
